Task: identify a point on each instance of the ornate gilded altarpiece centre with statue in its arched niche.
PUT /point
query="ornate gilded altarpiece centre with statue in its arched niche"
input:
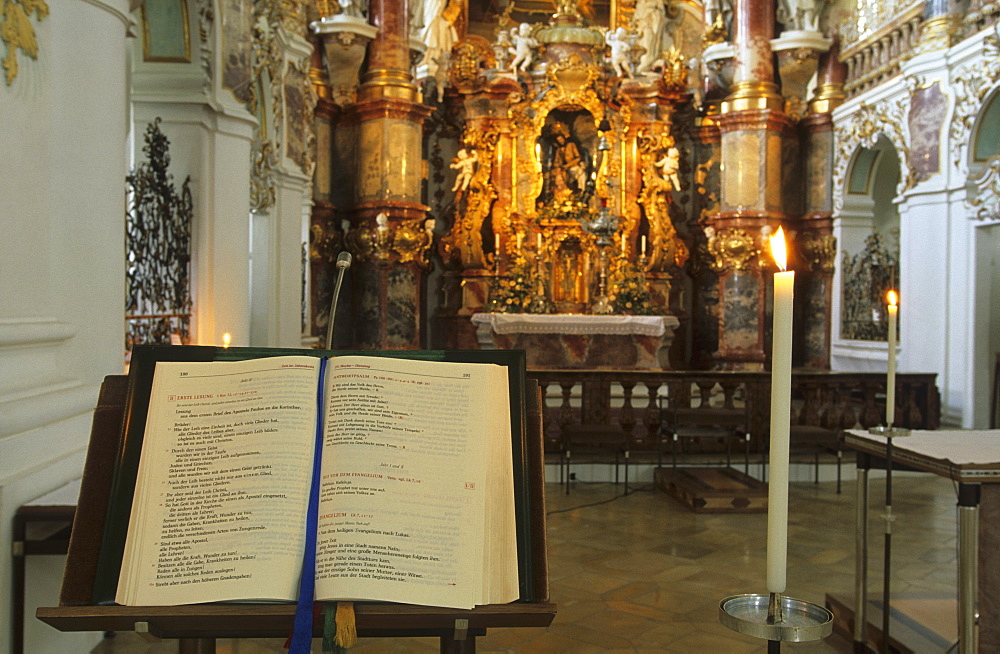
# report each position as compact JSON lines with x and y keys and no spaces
{"x":566,"y":210}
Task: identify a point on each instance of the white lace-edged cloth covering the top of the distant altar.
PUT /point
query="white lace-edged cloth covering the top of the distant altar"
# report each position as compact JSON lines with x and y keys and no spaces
{"x":574,"y":323}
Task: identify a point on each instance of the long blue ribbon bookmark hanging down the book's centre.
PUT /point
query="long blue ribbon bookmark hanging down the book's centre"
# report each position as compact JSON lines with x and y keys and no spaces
{"x":303,"y":626}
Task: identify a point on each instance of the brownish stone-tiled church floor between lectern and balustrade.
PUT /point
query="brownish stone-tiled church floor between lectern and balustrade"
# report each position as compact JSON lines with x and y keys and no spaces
{"x":640,"y":573}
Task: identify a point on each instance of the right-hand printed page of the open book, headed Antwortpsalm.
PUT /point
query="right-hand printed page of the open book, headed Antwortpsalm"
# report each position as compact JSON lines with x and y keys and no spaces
{"x":403,"y":488}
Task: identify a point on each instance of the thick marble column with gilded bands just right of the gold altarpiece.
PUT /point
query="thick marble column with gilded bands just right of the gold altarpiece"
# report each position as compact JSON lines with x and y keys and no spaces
{"x":754,"y":130}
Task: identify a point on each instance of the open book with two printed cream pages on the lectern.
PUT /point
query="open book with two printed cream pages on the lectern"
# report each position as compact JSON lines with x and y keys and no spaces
{"x":415,"y":482}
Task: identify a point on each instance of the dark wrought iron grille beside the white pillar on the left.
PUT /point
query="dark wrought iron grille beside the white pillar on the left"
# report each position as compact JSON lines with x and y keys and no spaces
{"x":157,"y":250}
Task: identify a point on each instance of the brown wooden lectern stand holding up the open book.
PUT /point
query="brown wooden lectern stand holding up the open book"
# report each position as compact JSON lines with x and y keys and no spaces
{"x":197,"y":626}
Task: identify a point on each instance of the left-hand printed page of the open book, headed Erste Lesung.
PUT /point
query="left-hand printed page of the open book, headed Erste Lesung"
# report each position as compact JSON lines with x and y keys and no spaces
{"x":223,"y":483}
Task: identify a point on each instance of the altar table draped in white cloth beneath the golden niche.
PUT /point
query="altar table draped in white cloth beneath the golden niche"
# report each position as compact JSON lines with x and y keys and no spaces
{"x":580,"y":341}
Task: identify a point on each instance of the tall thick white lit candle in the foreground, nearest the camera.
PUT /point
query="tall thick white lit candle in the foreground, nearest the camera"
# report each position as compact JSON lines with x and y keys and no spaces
{"x":781,"y":403}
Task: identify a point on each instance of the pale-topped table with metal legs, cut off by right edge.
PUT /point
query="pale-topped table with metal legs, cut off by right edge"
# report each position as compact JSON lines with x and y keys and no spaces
{"x":972,"y":459}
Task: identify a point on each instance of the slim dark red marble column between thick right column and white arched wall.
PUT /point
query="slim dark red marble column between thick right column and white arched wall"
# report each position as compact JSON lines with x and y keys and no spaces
{"x":816,"y":241}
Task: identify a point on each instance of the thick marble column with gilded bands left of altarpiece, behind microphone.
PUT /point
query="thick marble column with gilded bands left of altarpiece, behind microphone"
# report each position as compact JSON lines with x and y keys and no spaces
{"x":388,"y":234}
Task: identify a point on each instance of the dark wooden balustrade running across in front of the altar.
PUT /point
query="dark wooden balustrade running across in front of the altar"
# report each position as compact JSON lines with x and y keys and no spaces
{"x":631,"y":399}
